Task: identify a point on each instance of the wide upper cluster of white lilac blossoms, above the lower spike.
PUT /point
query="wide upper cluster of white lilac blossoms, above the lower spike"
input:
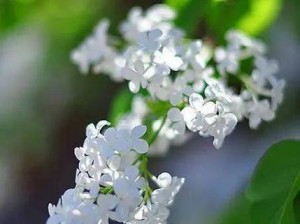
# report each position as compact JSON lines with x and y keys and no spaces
{"x":190,"y":75}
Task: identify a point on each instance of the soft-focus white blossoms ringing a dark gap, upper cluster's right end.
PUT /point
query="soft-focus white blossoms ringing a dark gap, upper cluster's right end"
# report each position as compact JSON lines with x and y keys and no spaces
{"x":264,"y":92}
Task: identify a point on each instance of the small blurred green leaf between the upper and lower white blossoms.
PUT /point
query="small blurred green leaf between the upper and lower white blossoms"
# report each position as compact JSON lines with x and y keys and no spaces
{"x":120,"y":106}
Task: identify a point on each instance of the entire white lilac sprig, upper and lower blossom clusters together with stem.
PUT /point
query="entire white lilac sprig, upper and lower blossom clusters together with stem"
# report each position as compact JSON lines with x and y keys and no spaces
{"x":195,"y":87}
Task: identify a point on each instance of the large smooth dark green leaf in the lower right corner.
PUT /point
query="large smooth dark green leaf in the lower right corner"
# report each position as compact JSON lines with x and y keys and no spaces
{"x":275,"y":185}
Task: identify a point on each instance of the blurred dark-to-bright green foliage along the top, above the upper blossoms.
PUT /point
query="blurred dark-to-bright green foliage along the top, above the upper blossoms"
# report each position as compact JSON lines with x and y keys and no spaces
{"x":251,"y":16}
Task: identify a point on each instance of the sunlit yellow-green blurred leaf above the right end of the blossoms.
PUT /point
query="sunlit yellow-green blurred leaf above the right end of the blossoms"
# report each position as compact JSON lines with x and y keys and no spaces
{"x":251,"y":16}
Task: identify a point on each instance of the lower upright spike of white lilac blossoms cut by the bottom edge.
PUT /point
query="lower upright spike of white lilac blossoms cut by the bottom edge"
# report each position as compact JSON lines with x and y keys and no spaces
{"x":110,"y":183}
